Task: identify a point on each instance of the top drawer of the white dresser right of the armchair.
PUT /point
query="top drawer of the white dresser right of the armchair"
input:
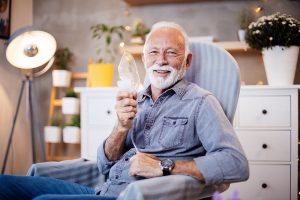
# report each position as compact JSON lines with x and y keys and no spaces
{"x":264,"y":112}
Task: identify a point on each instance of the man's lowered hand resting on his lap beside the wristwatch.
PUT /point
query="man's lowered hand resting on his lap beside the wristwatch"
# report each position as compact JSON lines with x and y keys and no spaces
{"x":145,"y":165}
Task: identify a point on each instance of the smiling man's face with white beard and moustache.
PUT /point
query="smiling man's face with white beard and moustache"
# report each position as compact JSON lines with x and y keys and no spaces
{"x":164,"y":57}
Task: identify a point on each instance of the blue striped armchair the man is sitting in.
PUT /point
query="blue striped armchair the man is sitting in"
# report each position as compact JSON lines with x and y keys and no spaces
{"x":213,"y":69}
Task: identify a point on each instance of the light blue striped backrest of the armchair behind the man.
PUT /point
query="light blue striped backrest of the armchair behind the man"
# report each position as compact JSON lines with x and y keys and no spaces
{"x":215,"y":70}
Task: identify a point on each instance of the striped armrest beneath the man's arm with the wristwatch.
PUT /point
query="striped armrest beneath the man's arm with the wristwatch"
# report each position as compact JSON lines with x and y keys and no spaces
{"x":174,"y":187}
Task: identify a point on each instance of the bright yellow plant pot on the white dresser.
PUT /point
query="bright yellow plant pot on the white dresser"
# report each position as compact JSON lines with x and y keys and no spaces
{"x":100,"y":75}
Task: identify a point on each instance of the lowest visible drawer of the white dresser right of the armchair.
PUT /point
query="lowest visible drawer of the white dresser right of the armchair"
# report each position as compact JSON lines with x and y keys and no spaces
{"x":266,"y":182}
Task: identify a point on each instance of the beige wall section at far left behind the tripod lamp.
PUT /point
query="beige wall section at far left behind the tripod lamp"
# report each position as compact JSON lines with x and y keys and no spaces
{"x":10,"y":80}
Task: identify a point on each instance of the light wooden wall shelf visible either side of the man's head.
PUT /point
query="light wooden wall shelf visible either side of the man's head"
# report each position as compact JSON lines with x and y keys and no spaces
{"x":231,"y":46}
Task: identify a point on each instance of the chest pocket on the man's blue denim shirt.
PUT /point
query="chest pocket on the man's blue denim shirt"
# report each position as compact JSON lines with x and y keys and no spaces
{"x":172,"y":132}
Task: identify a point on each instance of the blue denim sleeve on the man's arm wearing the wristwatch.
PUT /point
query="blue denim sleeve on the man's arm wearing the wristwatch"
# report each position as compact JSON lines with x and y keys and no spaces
{"x":225,"y":160}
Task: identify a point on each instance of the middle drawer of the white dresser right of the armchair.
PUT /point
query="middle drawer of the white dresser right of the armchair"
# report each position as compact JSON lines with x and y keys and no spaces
{"x":266,"y":145}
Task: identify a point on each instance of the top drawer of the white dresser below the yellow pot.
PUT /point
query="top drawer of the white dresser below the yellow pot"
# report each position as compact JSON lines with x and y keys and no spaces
{"x":101,"y":111}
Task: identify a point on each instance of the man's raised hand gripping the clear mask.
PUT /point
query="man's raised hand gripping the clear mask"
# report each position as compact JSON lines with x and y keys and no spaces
{"x":126,"y":108}
